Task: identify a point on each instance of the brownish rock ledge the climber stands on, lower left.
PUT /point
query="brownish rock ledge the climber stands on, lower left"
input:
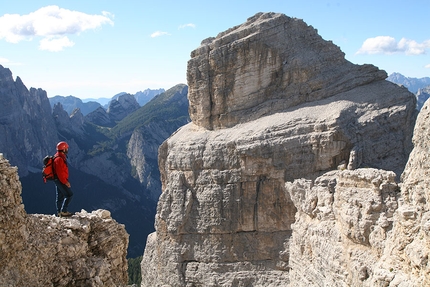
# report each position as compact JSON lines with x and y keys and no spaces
{"x":88,"y":249}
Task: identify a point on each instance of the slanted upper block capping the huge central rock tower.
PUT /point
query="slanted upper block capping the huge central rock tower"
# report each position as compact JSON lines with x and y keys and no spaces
{"x":266,"y":65}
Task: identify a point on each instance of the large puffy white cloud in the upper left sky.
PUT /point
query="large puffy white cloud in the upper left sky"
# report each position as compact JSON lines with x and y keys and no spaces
{"x":52,"y":23}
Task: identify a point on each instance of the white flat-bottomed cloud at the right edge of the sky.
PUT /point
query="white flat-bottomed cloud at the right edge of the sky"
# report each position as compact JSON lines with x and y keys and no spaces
{"x":389,"y":45}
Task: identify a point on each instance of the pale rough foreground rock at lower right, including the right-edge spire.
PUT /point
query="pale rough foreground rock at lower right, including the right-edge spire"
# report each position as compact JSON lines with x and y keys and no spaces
{"x":361,"y":228}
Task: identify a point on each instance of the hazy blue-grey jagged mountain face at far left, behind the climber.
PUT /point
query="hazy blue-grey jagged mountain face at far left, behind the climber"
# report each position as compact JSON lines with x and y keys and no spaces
{"x":20,"y":108}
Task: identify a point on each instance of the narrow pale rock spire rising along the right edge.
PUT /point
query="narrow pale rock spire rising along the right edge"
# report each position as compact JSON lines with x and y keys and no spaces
{"x":407,"y":248}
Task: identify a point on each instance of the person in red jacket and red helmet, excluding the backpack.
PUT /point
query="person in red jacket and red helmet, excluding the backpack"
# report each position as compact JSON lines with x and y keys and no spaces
{"x":62,"y":185}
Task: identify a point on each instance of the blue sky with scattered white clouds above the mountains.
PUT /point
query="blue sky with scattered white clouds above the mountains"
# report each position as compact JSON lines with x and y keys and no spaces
{"x":98,"y":48}
